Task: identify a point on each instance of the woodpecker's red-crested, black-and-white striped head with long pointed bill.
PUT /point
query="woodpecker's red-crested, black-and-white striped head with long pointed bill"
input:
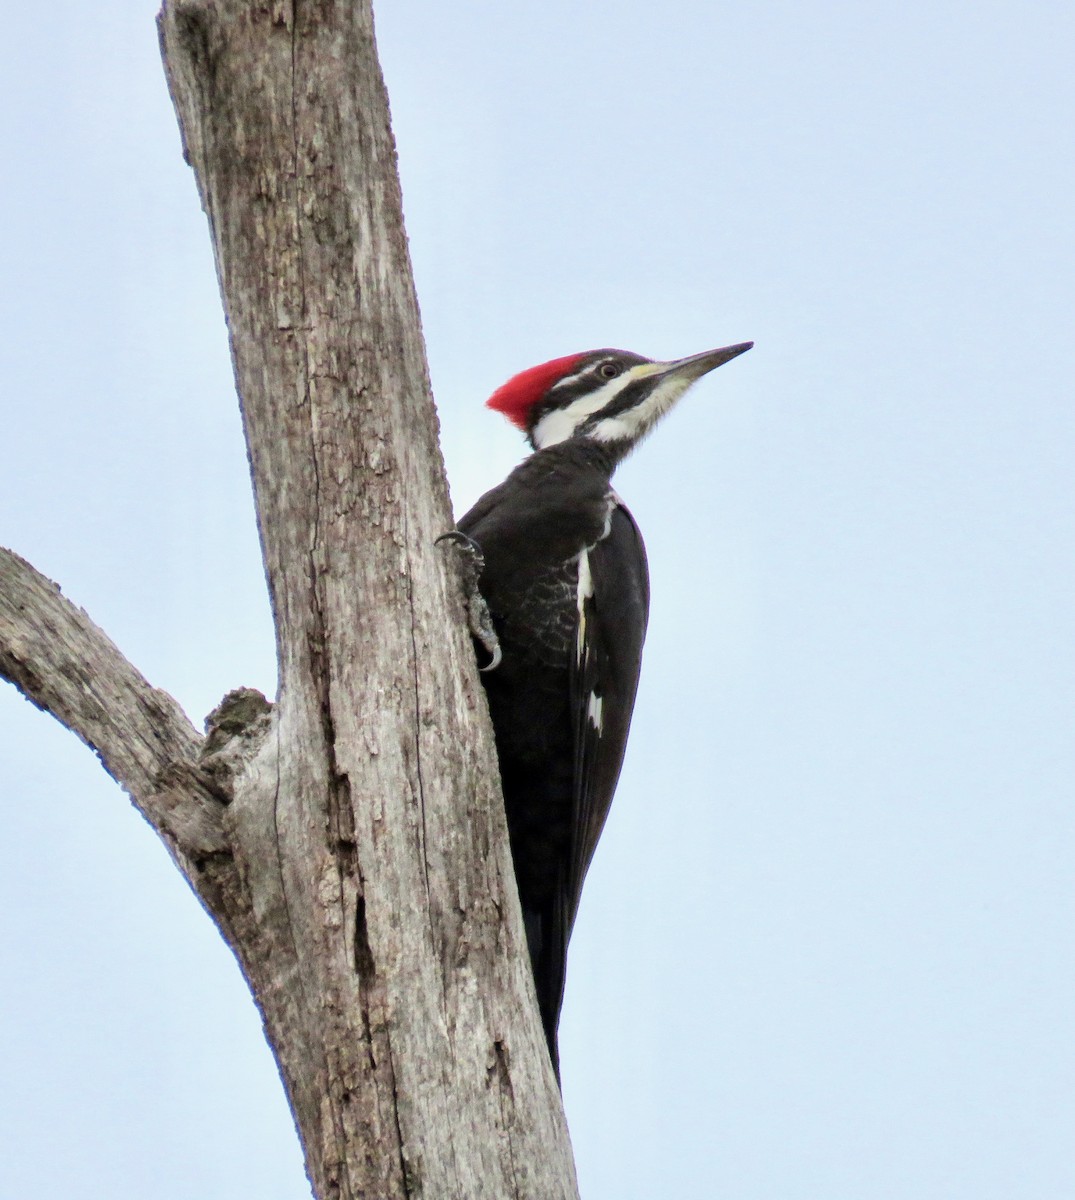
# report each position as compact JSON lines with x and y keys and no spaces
{"x":611,"y":397}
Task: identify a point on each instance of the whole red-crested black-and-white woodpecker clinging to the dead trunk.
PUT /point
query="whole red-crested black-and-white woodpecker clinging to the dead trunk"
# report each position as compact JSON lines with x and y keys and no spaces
{"x":562,"y":569}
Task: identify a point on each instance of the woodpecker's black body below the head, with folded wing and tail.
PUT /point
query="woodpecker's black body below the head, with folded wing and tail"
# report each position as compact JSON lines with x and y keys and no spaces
{"x":562,"y":698}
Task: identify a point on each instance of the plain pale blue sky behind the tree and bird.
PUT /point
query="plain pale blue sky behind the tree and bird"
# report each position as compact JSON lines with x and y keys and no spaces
{"x":826,"y":950}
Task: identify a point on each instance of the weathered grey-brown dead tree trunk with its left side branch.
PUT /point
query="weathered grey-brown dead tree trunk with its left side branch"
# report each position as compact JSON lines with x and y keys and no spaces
{"x":350,"y":839}
